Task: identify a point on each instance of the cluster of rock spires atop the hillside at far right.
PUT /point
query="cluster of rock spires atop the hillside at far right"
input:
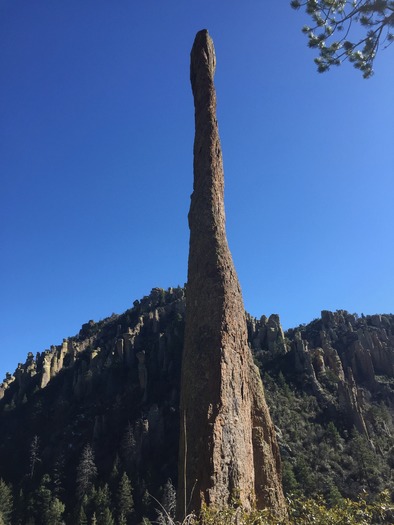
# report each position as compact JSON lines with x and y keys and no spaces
{"x":345,"y":359}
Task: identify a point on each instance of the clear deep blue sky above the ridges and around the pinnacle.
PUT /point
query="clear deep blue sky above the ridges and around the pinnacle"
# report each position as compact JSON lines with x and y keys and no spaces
{"x":96,"y":137}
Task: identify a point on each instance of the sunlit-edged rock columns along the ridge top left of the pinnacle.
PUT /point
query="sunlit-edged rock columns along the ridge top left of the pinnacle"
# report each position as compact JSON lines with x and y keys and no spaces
{"x":88,"y":354}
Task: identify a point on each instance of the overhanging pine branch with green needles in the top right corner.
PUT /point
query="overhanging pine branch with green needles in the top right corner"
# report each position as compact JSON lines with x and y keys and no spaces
{"x":351,"y":30}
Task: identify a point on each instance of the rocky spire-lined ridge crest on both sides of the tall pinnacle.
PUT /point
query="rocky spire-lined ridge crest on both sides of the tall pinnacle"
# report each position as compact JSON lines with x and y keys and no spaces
{"x":354,"y":354}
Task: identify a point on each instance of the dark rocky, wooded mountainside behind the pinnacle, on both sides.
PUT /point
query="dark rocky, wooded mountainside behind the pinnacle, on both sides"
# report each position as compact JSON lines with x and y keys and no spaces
{"x":117,"y":386}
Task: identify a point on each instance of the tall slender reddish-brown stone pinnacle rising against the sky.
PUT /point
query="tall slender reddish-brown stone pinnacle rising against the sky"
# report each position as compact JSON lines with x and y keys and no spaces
{"x":228,"y":447}
